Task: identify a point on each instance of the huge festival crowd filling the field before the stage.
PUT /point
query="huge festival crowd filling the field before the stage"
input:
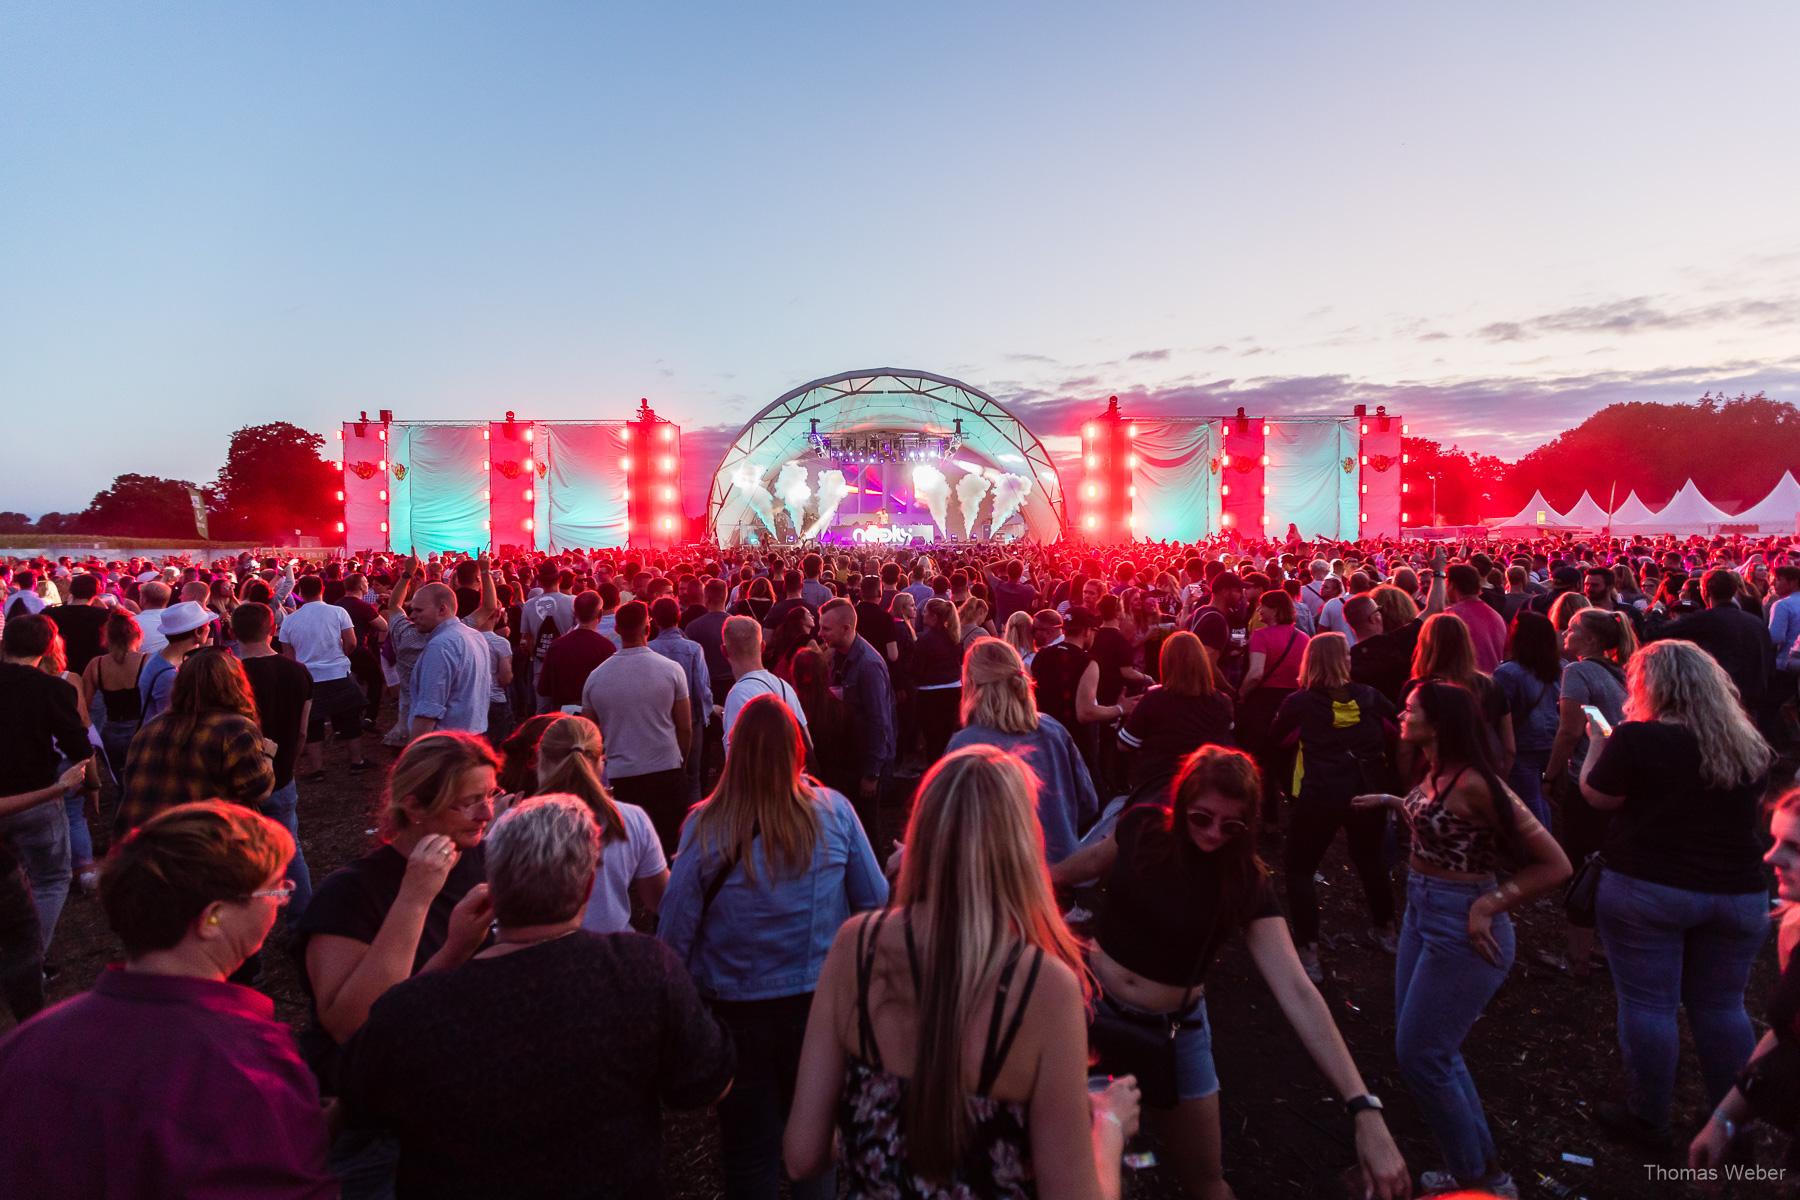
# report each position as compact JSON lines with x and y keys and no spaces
{"x":1090,"y":748}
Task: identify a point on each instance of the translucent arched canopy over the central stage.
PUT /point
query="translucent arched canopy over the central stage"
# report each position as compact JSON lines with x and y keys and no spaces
{"x":890,"y":399}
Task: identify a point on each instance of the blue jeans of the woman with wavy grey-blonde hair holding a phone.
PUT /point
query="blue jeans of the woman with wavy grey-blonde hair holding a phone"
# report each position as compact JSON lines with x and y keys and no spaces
{"x":1677,"y":949}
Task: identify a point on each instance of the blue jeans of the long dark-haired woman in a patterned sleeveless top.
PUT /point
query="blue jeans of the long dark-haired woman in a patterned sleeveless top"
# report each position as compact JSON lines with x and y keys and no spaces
{"x":1441,"y":987}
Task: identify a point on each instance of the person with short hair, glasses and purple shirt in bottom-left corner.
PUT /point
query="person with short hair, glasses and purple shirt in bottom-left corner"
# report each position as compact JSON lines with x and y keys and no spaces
{"x":165,"y":1079}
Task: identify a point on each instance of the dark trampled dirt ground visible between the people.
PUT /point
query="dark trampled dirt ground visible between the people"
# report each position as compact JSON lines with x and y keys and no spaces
{"x":1543,"y":1053}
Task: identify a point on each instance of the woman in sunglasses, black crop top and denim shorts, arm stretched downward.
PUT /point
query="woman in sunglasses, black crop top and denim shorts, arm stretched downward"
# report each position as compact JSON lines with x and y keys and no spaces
{"x":1182,"y":879}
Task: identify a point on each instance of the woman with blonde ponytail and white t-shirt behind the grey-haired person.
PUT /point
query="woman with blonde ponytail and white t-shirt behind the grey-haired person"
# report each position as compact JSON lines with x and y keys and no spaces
{"x":631,"y":855}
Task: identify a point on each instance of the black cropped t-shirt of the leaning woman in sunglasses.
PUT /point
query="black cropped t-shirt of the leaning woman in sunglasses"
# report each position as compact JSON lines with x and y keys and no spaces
{"x":1164,"y":902}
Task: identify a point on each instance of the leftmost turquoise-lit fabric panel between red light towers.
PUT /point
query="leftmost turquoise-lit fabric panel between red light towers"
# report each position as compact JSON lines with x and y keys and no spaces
{"x":440,"y":496}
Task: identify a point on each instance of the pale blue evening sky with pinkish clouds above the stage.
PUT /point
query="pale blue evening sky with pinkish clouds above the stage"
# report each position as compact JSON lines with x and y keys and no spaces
{"x":1491,"y":219}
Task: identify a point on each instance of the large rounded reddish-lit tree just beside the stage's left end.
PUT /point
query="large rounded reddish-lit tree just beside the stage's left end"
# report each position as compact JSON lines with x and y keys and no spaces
{"x":274,"y":483}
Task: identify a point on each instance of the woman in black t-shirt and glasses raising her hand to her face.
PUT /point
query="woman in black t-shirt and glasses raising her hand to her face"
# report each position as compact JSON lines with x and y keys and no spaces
{"x":415,"y":904}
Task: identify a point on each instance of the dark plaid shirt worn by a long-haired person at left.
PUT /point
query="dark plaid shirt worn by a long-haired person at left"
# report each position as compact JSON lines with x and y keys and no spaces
{"x":219,"y":758}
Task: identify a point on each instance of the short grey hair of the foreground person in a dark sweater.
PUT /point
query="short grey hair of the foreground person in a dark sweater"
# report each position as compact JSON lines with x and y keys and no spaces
{"x":541,"y":861}
